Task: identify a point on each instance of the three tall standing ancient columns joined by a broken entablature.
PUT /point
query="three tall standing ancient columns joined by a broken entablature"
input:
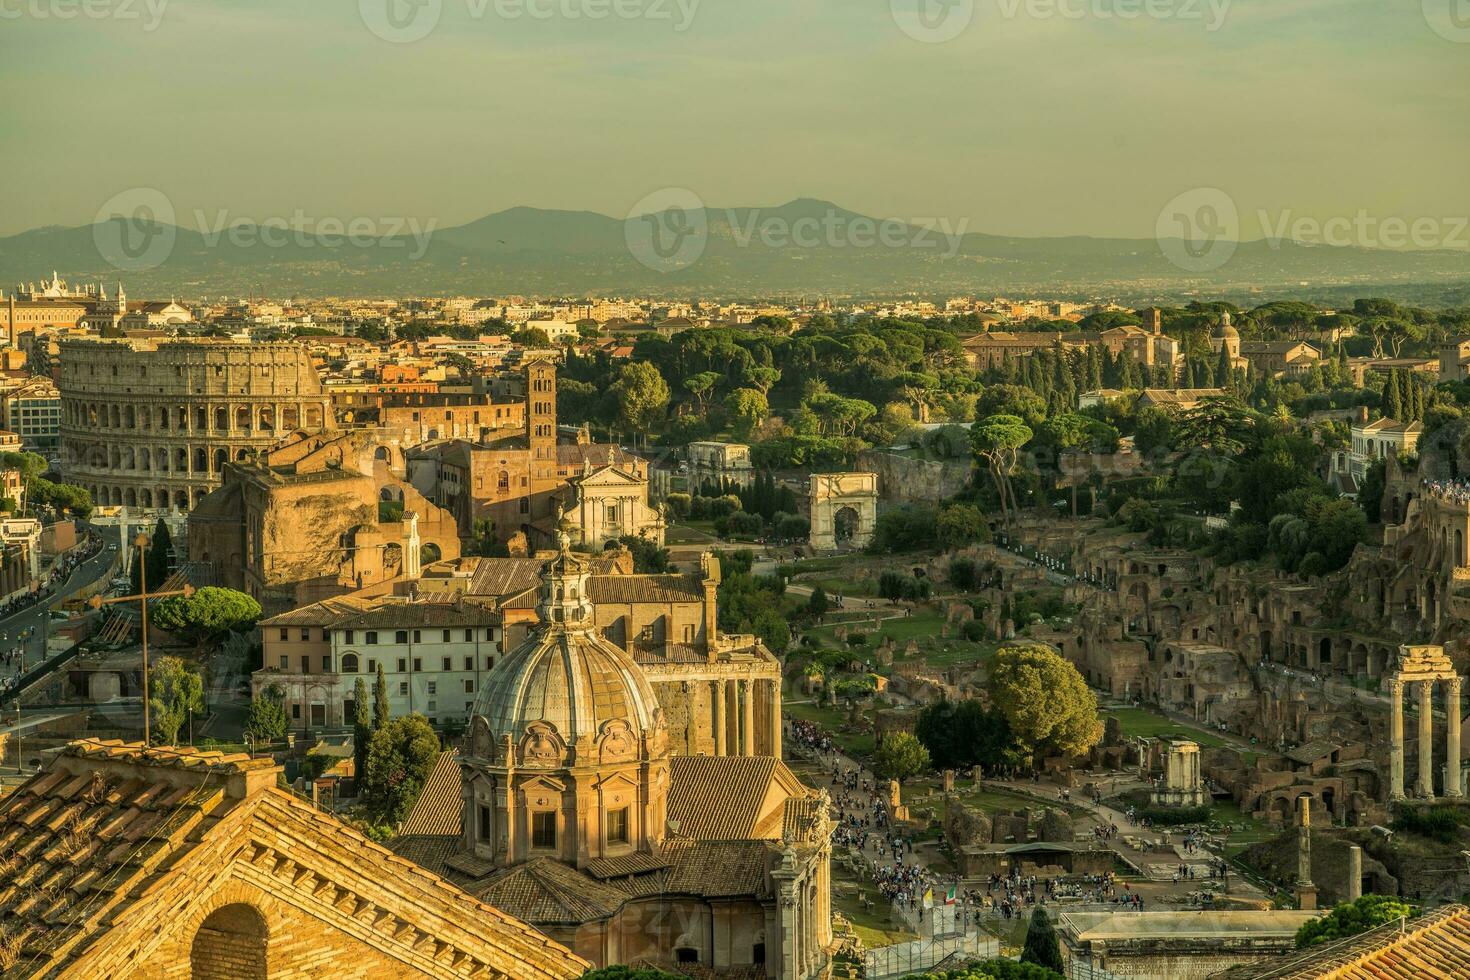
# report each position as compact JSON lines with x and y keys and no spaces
{"x":1425,"y":666}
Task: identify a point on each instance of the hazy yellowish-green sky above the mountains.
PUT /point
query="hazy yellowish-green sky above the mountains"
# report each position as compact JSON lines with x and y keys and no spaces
{"x":1041,"y":118}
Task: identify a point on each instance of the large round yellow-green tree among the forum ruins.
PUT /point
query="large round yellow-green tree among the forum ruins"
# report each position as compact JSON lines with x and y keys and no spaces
{"x":1044,"y":700}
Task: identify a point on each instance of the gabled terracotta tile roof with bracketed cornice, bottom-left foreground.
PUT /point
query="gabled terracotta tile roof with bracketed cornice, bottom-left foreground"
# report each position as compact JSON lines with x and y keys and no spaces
{"x":111,"y":840}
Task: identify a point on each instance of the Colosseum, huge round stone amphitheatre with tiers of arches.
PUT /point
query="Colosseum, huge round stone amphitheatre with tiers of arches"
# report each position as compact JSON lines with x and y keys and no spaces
{"x":151,"y":424}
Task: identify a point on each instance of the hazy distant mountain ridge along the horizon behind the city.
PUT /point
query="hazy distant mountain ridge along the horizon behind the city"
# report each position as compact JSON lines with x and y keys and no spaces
{"x":805,"y":248}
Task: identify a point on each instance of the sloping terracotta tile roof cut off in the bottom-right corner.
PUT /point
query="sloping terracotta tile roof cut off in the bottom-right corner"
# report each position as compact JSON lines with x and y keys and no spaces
{"x":1435,"y":947}
